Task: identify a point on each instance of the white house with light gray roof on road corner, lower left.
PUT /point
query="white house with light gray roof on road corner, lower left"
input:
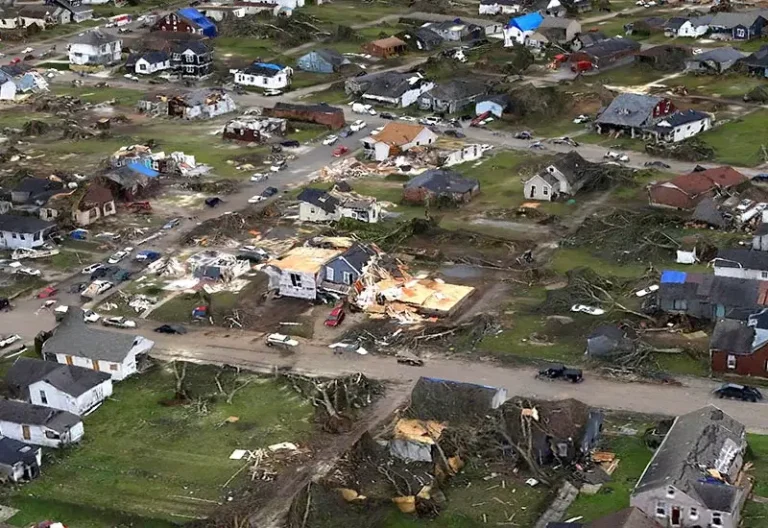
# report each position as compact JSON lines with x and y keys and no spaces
{"x":75,"y":343}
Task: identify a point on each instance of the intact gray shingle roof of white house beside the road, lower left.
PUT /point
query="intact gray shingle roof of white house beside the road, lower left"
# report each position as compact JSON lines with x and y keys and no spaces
{"x":74,"y":338}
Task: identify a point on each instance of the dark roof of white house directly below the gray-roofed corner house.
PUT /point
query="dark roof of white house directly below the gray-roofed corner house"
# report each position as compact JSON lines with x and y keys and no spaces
{"x":69,"y":379}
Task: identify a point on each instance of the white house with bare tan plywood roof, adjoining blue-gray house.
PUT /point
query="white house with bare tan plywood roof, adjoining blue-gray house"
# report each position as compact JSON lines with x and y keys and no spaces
{"x":300,"y":271}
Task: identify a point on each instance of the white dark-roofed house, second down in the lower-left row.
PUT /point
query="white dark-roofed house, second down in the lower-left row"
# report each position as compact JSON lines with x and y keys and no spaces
{"x":65,"y":387}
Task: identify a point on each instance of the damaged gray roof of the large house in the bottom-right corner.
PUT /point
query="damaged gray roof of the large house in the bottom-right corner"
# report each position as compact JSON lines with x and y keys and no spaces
{"x":703,"y":439}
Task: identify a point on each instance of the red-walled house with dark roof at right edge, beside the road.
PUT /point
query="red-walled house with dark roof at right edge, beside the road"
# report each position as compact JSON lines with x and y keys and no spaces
{"x":739,"y":347}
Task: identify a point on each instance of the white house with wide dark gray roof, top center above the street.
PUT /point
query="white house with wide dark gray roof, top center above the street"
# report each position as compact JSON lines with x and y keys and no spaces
{"x":389,"y":88}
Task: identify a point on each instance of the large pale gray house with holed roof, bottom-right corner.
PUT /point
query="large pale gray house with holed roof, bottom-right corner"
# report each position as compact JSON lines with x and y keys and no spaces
{"x":695,"y":476}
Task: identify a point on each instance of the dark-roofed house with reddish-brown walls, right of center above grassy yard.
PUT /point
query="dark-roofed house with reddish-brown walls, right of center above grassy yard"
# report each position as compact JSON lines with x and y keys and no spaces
{"x":438,"y":185}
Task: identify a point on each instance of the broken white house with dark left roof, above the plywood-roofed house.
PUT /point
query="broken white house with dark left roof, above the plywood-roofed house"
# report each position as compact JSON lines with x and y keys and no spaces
{"x":316,"y":205}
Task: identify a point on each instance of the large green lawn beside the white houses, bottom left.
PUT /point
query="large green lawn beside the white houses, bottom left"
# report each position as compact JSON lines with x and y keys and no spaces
{"x":142,"y":463}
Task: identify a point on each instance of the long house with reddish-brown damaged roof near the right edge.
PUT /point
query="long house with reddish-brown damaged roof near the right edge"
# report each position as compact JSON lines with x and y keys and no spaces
{"x":687,"y":190}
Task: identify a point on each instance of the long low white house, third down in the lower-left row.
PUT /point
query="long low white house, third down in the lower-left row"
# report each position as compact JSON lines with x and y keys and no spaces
{"x":38,"y":425}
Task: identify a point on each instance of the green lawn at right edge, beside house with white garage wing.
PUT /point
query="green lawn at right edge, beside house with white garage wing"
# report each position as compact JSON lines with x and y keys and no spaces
{"x":740,"y":142}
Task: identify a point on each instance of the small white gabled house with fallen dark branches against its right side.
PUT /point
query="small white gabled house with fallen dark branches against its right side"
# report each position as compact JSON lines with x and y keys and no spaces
{"x":565,"y":176}
